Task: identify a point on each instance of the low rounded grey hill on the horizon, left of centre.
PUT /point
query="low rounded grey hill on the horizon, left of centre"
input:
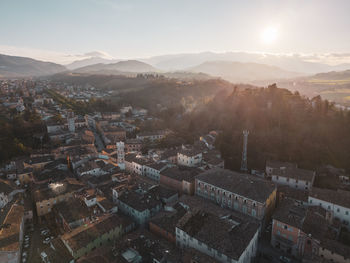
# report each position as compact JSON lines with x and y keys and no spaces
{"x":132,"y":66}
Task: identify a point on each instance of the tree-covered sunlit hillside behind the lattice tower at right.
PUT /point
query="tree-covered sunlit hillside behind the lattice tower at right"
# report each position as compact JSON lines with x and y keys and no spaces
{"x":282,"y":125}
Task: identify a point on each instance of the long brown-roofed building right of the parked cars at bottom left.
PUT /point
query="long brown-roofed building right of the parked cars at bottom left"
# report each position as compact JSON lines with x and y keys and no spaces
{"x":83,"y":239}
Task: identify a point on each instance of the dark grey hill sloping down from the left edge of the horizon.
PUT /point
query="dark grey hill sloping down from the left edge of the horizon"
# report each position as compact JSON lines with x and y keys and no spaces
{"x":11,"y":66}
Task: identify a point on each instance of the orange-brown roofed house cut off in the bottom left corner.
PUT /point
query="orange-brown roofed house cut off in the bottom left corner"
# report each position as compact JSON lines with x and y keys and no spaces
{"x":11,"y":234}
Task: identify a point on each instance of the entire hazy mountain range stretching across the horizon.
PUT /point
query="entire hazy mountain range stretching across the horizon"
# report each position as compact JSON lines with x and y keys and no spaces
{"x":232,"y":66}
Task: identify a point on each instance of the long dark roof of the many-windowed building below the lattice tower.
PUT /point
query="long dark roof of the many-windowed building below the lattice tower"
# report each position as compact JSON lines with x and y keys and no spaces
{"x":242,"y":184}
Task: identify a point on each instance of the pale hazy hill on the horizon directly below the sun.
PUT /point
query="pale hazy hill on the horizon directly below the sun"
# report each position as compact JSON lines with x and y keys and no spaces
{"x":242,"y":72}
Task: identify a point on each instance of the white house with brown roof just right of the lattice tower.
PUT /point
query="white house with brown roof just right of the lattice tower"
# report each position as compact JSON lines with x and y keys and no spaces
{"x":294,"y":177}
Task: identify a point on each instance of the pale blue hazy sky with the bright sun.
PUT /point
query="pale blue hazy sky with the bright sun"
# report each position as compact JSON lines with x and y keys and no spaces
{"x":65,"y":30}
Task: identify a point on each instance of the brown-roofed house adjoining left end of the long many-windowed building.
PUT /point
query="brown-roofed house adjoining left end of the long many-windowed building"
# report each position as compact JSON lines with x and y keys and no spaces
{"x":180,"y":178}
